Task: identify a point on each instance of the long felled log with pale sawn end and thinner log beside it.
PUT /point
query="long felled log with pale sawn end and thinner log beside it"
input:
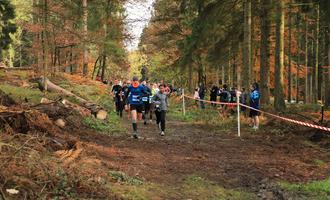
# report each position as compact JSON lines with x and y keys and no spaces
{"x":94,"y":109}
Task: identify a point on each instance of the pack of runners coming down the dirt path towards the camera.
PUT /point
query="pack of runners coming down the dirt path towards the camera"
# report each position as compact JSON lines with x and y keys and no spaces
{"x":141,"y":100}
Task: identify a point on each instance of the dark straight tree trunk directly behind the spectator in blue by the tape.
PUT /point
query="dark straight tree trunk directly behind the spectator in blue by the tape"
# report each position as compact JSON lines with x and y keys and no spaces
{"x":264,"y":51}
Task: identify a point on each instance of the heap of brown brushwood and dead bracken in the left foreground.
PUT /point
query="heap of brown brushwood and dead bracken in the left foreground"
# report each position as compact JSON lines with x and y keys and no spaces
{"x":39,"y":145}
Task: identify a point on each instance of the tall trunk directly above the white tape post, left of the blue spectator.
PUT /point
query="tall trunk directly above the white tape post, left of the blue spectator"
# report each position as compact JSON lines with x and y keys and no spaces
{"x":245,"y":73}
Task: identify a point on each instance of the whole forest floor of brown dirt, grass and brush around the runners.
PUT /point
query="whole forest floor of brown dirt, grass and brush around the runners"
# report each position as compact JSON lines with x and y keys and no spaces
{"x":200,"y":157}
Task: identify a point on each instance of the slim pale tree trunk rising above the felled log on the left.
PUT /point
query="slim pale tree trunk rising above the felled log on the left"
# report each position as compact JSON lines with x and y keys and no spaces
{"x":85,"y":31}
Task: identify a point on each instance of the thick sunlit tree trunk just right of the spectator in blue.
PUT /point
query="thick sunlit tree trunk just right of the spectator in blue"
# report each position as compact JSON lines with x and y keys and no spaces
{"x":279,"y":66}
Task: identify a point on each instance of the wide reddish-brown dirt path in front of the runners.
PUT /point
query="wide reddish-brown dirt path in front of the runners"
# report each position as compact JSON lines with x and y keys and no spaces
{"x":199,"y":150}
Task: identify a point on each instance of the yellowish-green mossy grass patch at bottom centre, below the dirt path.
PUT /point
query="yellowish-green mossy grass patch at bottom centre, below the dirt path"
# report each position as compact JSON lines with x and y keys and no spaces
{"x":194,"y":187}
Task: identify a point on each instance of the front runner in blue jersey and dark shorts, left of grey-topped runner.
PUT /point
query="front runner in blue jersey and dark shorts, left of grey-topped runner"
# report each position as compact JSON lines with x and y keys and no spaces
{"x":135,"y":93}
